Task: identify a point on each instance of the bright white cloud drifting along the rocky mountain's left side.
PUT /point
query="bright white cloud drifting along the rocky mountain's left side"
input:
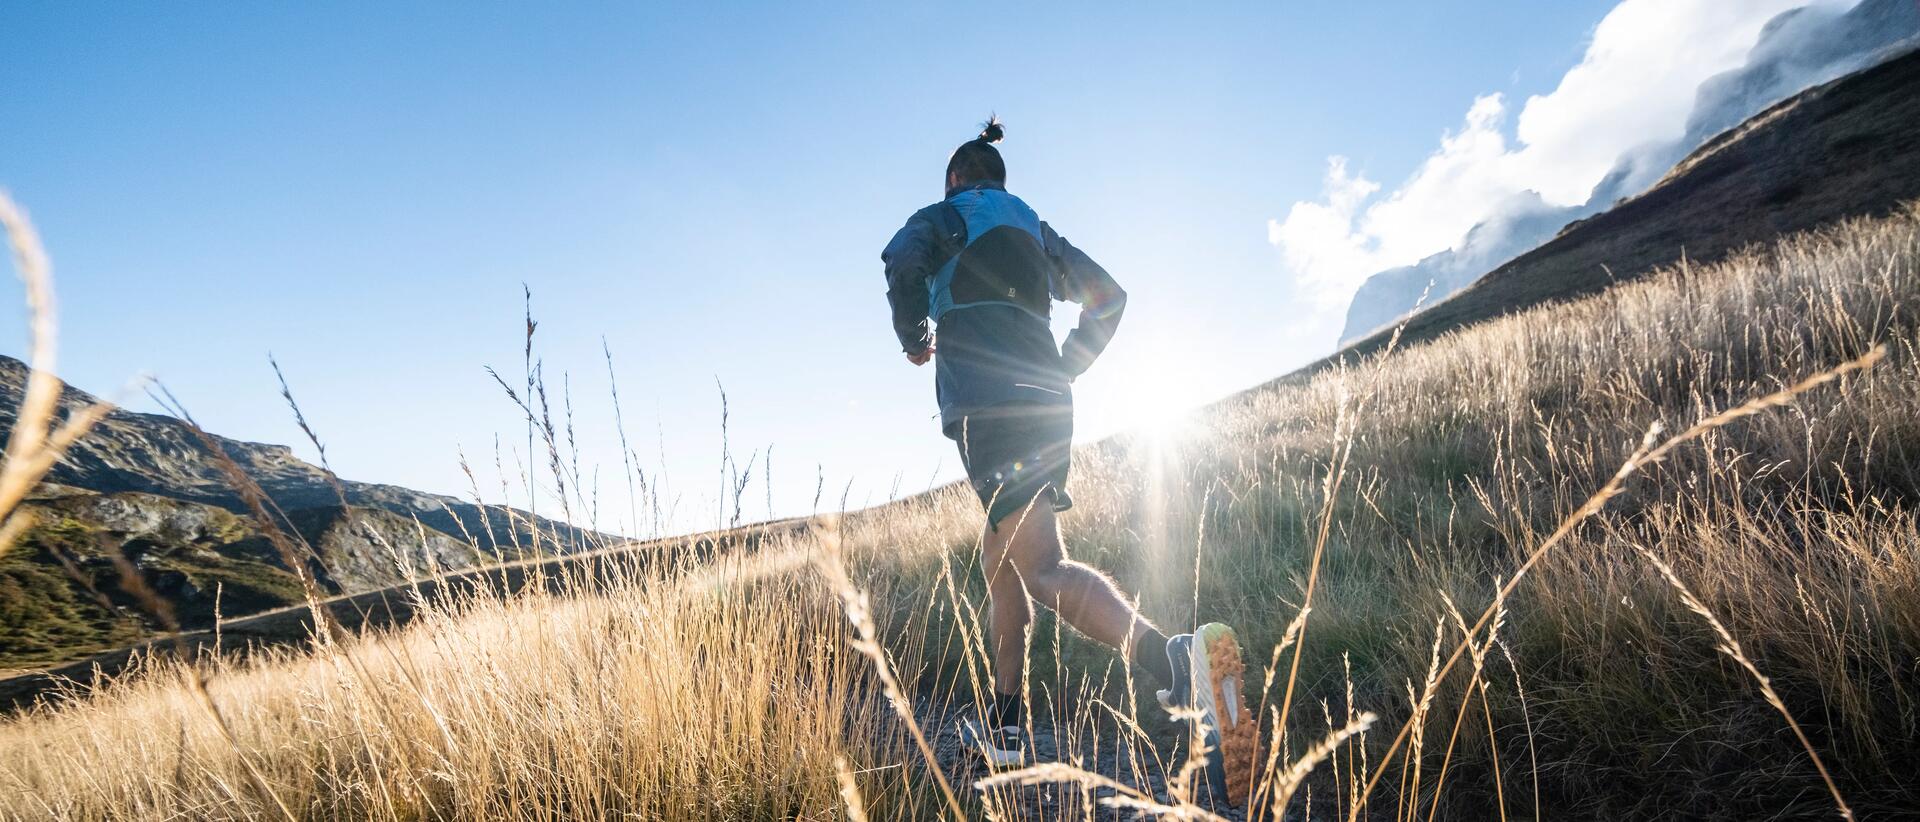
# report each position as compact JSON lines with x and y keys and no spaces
{"x":1633,"y":87}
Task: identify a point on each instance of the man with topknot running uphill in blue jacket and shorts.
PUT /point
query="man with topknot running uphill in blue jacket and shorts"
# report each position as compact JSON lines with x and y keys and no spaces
{"x":986,"y":270}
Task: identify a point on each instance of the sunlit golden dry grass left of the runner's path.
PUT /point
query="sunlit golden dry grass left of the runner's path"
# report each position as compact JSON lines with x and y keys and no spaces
{"x":539,"y":708}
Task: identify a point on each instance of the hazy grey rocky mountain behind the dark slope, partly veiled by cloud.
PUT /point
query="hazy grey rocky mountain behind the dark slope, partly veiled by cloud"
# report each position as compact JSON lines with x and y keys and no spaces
{"x":1796,"y":51}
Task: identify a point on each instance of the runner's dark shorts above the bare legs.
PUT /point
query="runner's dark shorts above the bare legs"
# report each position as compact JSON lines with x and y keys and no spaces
{"x":1017,"y":452}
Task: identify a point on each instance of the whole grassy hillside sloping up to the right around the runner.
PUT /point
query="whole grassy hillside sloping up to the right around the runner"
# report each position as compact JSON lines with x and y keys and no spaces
{"x":729,"y":687}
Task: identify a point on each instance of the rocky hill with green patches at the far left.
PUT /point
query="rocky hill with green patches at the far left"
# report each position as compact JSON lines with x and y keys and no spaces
{"x":145,"y":489}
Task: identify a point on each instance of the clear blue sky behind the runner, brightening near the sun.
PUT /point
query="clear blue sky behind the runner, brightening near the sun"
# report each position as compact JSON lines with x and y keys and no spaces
{"x":362,"y":191}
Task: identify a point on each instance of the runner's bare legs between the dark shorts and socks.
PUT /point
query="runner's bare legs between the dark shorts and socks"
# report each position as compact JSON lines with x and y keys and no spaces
{"x":1024,"y":558}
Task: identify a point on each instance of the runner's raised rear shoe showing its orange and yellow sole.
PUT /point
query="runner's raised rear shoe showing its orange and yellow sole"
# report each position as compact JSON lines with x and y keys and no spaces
{"x":1212,"y":683}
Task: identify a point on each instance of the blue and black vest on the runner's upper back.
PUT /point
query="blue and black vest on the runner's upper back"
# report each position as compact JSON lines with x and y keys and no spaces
{"x":994,"y":256}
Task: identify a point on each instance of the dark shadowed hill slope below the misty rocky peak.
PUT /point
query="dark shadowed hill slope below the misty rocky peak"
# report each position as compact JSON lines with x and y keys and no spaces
{"x":1846,"y":149}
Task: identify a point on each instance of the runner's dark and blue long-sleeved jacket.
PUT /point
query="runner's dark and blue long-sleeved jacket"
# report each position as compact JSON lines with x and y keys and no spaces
{"x":986,"y":270}
